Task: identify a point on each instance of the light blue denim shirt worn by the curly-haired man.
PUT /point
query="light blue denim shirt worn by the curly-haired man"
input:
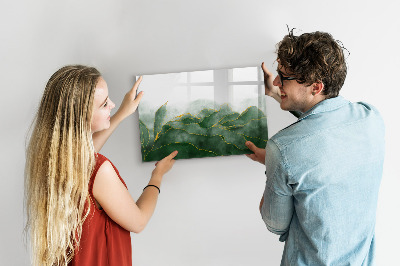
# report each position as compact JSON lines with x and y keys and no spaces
{"x":323,"y":176}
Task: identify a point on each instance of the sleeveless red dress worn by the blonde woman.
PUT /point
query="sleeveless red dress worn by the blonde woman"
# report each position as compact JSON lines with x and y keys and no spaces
{"x":103,"y":241}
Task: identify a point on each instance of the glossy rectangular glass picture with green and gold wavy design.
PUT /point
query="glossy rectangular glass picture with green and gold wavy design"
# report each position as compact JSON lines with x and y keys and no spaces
{"x":173,"y":117}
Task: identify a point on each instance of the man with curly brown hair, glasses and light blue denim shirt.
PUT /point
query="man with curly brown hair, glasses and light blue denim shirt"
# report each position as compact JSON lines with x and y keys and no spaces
{"x":323,"y":171}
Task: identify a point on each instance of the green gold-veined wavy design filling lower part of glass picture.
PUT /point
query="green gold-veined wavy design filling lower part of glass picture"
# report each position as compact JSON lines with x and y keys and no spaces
{"x":207,"y":134}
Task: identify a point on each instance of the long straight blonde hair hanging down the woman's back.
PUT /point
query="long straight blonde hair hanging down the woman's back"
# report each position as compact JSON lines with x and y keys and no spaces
{"x":59,"y":161}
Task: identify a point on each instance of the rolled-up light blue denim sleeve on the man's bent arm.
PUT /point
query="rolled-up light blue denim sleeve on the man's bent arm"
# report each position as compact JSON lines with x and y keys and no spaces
{"x":277,"y":209}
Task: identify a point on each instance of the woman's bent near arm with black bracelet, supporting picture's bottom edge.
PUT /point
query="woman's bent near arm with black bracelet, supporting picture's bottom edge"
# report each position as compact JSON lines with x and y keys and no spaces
{"x":116,"y":201}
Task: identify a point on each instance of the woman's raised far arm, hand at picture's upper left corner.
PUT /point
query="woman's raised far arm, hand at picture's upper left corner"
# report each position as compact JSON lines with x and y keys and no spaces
{"x":128,"y":107}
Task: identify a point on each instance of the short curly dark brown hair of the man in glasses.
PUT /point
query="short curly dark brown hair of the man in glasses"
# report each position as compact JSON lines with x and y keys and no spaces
{"x":314,"y":57}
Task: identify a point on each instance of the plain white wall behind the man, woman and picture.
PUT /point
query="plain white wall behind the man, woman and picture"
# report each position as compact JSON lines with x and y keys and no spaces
{"x":208,"y":208}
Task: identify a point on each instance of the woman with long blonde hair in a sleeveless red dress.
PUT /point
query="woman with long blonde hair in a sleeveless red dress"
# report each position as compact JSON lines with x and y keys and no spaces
{"x":79,"y":211}
